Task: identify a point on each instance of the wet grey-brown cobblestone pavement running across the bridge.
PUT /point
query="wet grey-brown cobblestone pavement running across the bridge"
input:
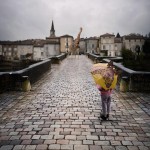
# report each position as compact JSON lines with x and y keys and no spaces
{"x":62,"y":109}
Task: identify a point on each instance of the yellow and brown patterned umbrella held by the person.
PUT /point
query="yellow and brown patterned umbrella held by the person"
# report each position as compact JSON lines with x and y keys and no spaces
{"x":104,"y":76}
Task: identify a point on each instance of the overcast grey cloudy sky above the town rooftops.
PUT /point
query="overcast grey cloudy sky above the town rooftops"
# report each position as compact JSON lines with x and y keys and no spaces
{"x":31,"y":19}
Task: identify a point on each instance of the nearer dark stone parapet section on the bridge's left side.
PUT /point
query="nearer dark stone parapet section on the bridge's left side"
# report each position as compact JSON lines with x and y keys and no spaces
{"x":10,"y":80}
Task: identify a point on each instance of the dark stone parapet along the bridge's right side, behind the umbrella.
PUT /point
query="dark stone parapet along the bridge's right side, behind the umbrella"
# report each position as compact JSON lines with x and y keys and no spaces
{"x":135,"y":80}
